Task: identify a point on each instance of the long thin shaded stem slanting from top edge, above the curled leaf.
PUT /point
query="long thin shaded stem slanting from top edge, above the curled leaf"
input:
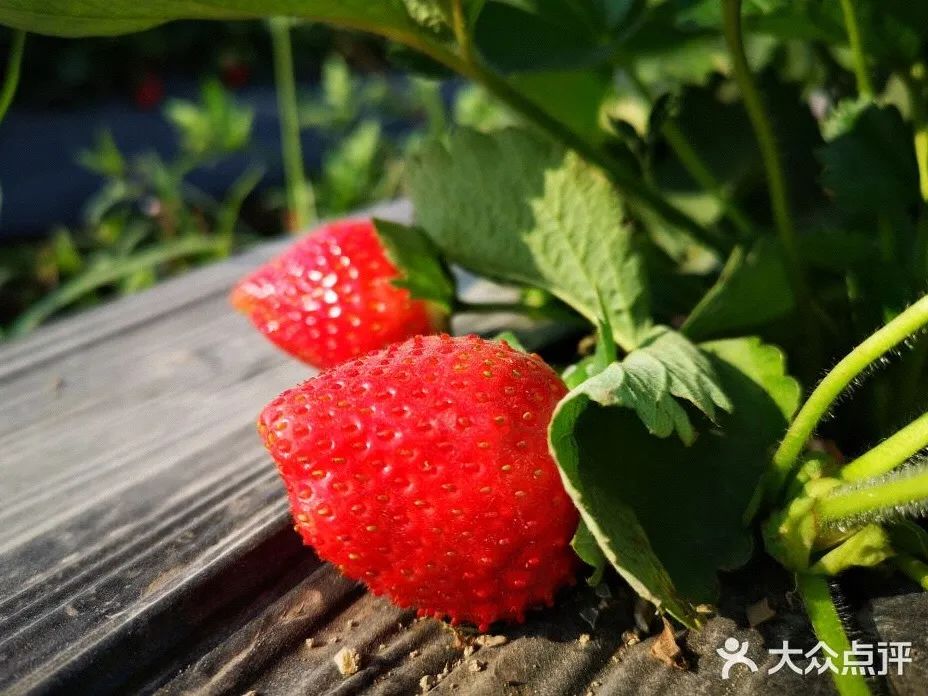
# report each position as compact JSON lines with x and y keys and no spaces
{"x":773,"y":166}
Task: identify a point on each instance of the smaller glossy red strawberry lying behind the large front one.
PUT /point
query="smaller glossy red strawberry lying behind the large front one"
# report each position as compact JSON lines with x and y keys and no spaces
{"x":329,"y":297}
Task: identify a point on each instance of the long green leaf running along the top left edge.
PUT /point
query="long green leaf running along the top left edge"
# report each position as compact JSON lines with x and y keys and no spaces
{"x":107,"y":17}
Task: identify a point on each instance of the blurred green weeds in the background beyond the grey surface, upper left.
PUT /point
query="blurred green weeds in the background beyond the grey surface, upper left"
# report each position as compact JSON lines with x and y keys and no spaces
{"x":148,"y":221}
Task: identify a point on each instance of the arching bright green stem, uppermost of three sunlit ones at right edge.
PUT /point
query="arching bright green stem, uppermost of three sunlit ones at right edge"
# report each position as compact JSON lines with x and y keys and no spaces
{"x":913,"y":319}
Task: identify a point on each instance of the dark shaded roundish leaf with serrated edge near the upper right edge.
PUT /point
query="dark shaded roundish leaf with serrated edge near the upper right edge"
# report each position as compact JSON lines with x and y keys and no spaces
{"x":870,"y":167}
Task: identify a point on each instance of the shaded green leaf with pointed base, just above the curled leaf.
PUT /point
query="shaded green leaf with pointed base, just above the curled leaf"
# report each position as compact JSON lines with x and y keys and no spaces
{"x":753,"y":289}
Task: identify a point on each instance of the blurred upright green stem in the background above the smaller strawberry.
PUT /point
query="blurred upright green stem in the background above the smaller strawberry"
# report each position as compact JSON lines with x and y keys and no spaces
{"x":300,"y":203}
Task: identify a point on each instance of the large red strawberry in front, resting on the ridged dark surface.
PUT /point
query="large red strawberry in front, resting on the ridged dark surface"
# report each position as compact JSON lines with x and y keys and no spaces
{"x":423,"y":469}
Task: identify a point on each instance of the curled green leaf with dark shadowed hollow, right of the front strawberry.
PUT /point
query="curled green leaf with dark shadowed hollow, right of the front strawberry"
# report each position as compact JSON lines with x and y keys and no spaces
{"x":667,"y":515}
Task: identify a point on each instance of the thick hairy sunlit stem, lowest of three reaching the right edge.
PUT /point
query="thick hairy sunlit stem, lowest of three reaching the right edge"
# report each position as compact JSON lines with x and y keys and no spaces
{"x":850,"y":503}
